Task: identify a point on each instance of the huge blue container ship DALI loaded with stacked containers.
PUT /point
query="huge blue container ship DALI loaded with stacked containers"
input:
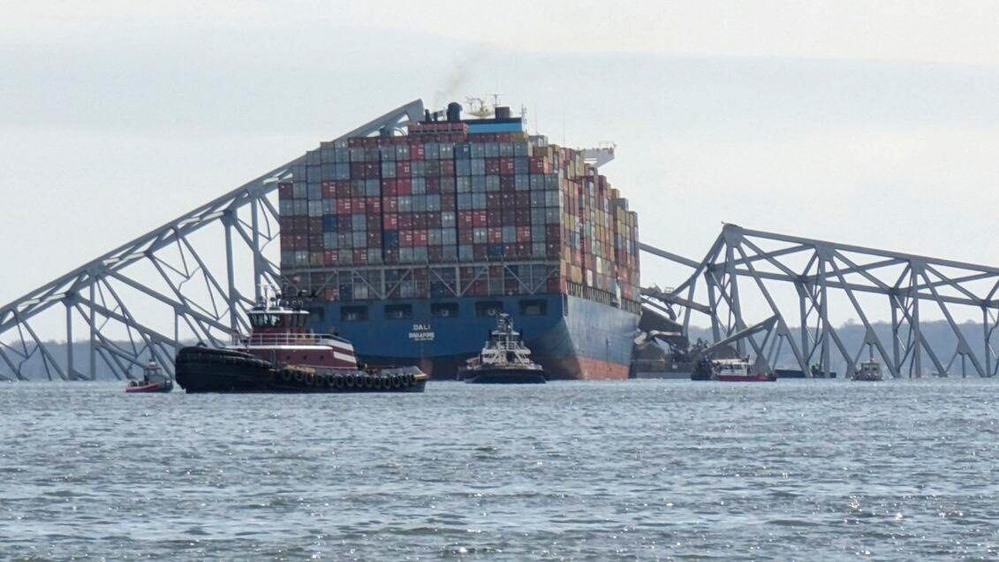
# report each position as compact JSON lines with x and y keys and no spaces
{"x":410,"y":243}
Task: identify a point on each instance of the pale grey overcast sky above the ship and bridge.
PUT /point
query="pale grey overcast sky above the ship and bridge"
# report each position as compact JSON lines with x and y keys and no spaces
{"x":871,"y":123}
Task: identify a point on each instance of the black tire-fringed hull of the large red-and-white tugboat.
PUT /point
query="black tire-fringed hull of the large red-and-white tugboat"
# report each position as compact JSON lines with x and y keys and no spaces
{"x":202,"y":369}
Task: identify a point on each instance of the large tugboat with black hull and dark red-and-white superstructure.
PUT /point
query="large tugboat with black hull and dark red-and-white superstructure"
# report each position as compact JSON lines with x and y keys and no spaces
{"x":281,"y":355}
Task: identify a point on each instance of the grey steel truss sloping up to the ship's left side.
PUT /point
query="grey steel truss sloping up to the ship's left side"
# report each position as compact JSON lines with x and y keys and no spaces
{"x":189,"y":280}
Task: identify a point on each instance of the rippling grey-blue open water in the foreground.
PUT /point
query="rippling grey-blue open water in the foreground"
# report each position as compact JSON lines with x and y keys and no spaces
{"x":644,"y":470}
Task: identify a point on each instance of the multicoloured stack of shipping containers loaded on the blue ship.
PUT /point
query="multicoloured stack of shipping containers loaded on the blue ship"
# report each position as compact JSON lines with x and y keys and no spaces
{"x":449,"y":210}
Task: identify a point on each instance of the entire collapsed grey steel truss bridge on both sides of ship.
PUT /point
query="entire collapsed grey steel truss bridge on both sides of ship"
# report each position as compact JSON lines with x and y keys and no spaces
{"x":190,"y":279}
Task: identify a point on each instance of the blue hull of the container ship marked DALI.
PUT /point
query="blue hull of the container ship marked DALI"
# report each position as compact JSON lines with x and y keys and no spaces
{"x":571,"y":337}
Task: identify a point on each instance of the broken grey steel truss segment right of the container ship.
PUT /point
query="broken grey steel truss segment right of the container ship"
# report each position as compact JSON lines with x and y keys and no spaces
{"x":753,"y":273}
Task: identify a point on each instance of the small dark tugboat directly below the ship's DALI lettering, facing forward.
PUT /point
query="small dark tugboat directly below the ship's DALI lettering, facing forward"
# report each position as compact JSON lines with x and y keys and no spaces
{"x":504,"y":359}
